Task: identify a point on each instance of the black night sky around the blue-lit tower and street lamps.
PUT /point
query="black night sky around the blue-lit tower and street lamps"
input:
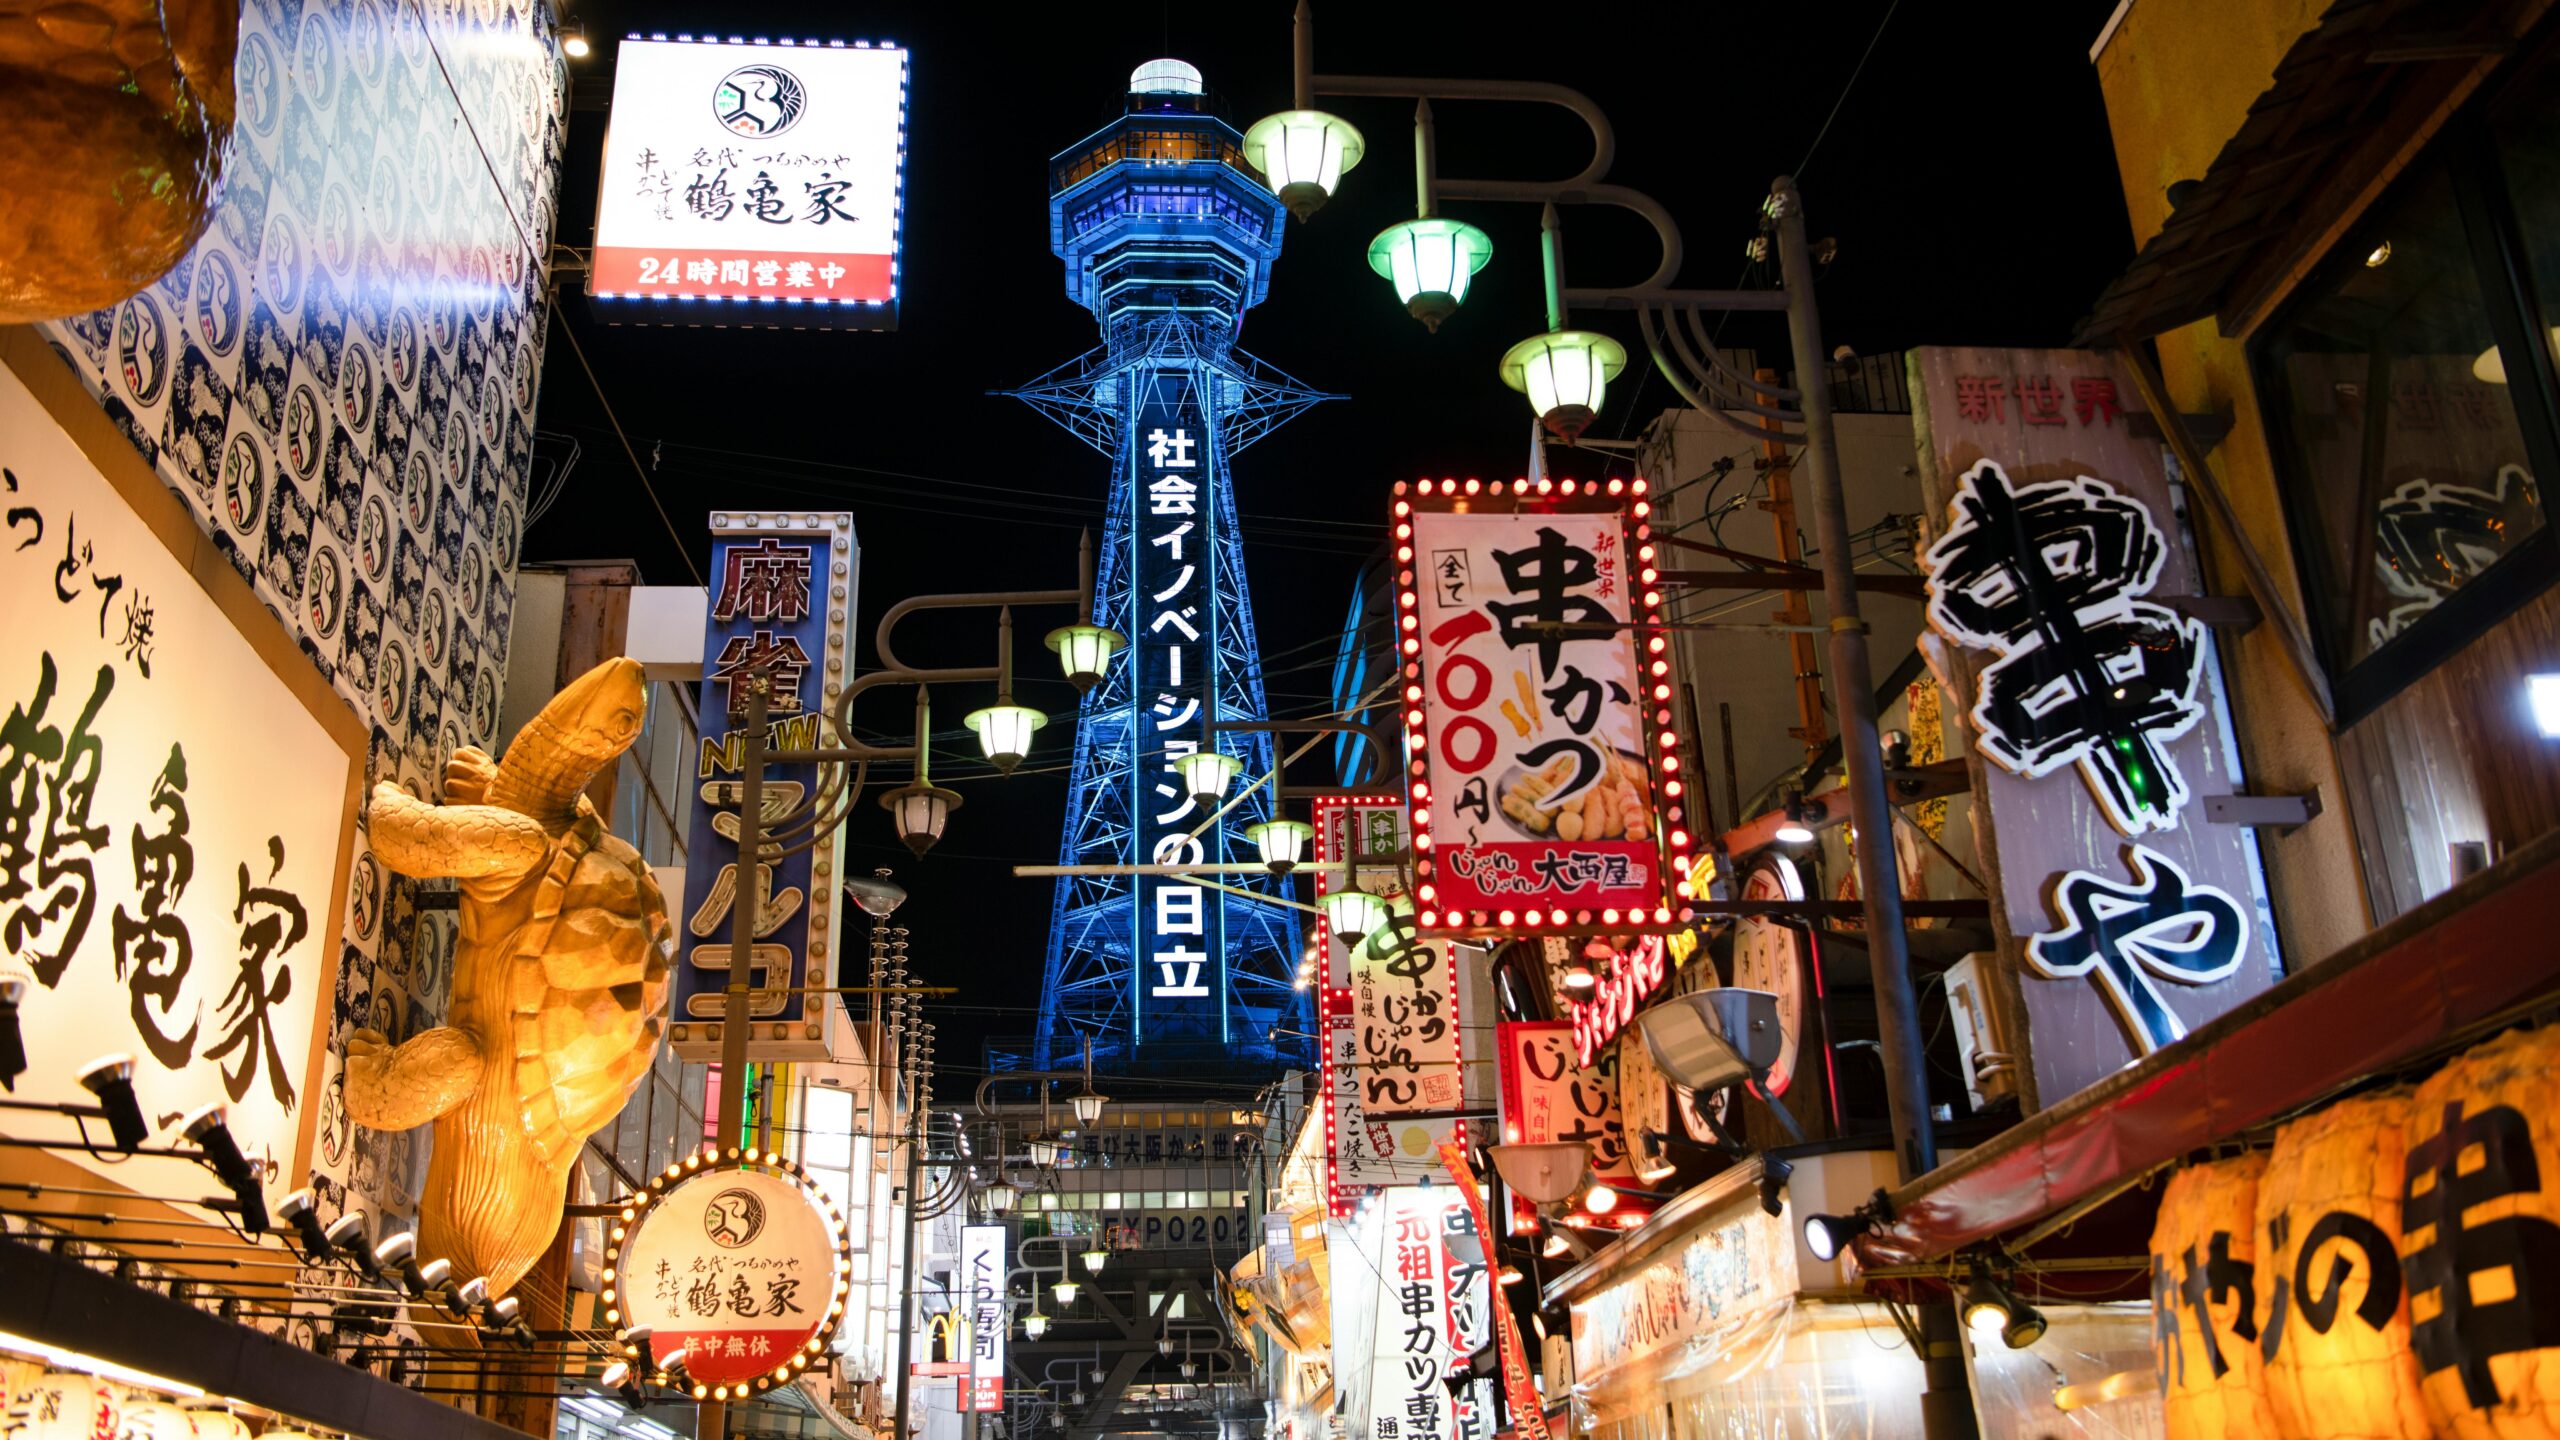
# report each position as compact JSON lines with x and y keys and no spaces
{"x":1967,"y":178}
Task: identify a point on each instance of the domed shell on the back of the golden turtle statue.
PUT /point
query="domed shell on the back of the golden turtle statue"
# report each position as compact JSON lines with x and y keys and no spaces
{"x":588,"y":988}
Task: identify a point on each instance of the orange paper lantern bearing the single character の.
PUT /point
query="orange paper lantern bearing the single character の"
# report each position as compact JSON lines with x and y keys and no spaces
{"x":2328,"y":1226}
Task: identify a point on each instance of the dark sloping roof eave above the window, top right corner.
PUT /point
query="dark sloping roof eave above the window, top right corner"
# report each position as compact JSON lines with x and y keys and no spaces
{"x":2349,"y":106}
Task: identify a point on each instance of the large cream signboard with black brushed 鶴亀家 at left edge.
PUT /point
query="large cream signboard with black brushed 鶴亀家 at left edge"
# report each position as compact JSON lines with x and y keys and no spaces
{"x":163,"y":896}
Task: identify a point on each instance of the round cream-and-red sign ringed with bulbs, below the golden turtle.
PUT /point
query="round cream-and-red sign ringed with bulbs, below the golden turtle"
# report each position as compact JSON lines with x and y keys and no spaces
{"x":739,"y":1264}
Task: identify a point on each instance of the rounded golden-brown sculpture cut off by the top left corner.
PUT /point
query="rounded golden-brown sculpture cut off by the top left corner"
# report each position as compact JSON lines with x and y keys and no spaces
{"x":114,"y":132}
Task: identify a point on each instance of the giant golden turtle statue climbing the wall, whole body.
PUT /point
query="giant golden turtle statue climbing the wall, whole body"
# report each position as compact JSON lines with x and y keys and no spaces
{"x":559,"y":983}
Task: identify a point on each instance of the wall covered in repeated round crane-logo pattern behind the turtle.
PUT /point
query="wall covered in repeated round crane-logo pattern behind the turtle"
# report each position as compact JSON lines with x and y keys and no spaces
{"x":342,"y":386}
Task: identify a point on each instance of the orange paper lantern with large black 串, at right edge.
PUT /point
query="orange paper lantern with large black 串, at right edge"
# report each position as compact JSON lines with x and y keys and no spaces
{"x":2482,"y":1239}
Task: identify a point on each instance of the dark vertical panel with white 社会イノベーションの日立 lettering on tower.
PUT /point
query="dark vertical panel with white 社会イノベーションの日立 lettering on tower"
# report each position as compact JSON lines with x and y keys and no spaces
{"x":1181,"y":947}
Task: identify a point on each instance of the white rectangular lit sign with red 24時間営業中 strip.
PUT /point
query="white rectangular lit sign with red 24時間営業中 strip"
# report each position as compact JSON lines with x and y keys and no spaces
{"x":754,"y":176}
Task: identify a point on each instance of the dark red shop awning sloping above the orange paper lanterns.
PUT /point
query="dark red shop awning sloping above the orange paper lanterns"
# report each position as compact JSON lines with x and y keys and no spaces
{"x":2438,"y":978}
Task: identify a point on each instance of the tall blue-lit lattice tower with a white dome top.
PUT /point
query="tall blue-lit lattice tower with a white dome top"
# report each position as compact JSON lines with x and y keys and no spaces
{"x":1169,"y":237}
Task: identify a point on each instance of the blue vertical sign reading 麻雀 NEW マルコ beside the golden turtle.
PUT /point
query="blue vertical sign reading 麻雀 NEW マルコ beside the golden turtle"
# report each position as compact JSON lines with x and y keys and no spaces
{"x":782,"y":593}
